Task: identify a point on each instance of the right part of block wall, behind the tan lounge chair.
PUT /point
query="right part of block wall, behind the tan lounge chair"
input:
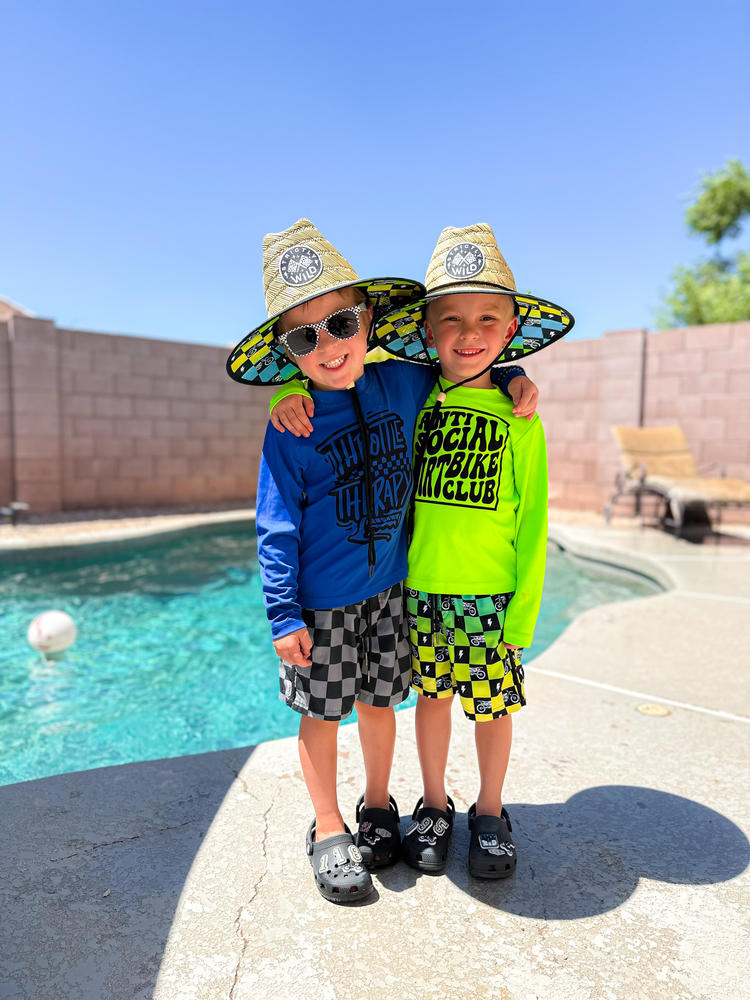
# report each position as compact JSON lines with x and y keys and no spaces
{"x":698,"y":377}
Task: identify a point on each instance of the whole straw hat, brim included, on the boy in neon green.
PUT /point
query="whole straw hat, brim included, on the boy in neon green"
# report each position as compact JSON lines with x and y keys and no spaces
{"x":468,"y":260}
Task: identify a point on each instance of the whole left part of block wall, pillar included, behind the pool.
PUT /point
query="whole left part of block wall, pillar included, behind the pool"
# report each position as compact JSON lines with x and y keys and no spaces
{"x":106,"y":421}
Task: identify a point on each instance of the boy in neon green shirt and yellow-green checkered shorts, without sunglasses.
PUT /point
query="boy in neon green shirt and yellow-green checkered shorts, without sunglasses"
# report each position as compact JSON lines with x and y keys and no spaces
{"x":477,"y":555}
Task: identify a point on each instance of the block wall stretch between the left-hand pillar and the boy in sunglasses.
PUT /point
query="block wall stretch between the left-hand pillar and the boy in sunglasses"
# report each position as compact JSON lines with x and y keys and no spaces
{"x":148,"y":422}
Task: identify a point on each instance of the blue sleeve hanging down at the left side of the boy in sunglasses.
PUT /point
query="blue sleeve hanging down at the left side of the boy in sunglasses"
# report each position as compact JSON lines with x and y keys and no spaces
{"x":278,"y":518}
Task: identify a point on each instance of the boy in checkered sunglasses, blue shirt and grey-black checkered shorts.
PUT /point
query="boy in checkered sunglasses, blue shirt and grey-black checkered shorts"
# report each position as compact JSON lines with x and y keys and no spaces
{"x":331,"y":541}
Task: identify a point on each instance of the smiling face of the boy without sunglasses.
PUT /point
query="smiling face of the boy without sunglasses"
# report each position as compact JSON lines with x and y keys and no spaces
{"x":469,"y":330}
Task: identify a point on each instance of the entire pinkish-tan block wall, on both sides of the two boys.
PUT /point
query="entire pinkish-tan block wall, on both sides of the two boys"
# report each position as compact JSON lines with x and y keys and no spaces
{"x":113,"y":421}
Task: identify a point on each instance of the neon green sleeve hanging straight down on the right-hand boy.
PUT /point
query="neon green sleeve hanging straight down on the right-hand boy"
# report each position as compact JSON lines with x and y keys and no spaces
{"x":530,"y":475}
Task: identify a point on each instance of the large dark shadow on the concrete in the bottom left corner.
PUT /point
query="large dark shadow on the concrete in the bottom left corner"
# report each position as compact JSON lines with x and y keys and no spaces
{"x":91,"y":871}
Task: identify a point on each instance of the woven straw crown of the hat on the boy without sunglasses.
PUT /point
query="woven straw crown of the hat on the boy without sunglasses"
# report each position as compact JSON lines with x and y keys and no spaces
{"x":467,"y":256}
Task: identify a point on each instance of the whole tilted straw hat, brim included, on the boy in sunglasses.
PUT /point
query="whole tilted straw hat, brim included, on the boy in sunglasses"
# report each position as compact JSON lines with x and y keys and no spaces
{"x":299,"y":265}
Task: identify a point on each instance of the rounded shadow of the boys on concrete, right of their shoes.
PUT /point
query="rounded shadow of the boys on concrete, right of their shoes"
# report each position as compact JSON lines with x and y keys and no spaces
{"x":586,"y":856}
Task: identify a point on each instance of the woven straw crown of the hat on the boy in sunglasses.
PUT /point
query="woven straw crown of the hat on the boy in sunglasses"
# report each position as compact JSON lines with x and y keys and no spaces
{"x":298,"y":265}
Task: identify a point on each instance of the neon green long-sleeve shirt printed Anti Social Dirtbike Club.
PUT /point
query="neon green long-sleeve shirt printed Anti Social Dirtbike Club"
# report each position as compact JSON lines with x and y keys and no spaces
{"x":480,"y":521}
